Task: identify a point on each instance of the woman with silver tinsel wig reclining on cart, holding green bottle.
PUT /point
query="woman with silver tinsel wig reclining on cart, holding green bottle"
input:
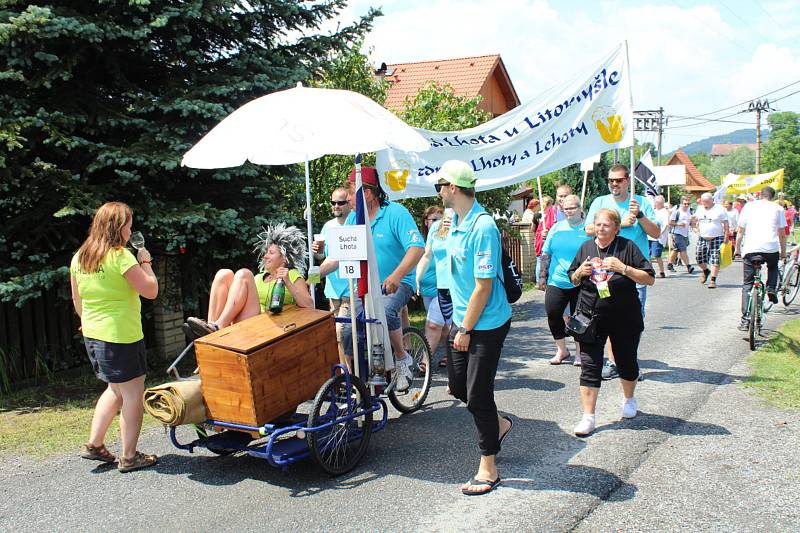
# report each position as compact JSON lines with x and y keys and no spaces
{"x":235,"y":297}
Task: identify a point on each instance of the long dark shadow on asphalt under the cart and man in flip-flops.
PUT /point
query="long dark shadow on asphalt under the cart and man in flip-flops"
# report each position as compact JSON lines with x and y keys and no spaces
{"x":436,"y":444}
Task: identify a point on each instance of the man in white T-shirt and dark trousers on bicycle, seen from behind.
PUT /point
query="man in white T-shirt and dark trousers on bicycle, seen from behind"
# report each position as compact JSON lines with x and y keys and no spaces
{"x":761,"y":228}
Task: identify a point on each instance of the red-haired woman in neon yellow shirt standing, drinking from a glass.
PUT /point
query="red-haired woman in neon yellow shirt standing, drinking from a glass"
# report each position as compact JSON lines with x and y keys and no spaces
{"x":106,"y":281}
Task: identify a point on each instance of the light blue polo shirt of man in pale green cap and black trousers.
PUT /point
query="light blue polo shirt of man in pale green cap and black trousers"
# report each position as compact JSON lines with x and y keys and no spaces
{"x":473,"y":249}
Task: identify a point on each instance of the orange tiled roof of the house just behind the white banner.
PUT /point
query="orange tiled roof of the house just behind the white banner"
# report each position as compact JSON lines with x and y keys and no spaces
{"x":465,"y":75}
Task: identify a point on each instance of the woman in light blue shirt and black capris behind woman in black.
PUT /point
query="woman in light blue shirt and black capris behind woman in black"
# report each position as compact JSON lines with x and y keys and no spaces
{"x":563,"y":241}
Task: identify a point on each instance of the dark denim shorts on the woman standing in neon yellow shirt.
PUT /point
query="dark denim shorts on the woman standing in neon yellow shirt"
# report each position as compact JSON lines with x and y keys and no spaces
{"x":113,"y":362}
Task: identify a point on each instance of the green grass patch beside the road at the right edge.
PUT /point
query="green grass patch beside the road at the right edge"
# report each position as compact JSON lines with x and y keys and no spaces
{"x":776,"y":368}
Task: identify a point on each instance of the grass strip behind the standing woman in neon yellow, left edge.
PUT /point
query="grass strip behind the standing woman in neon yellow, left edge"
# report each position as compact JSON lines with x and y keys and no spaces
{"x":54,"y":418}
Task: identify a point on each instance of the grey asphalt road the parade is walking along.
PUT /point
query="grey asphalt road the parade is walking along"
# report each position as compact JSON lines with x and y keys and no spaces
{"x":703,"y":454}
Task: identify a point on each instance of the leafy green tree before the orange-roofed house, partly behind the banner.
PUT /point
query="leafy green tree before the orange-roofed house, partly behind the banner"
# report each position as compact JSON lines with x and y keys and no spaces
{"x":438,"y":108}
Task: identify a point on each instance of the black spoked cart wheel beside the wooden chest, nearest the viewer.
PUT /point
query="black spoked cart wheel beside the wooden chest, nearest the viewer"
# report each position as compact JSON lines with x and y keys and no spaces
{"x":339,"y":448}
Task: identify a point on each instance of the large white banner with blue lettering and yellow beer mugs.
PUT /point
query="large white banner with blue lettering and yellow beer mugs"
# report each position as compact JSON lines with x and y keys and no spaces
{"x":564,"y":125}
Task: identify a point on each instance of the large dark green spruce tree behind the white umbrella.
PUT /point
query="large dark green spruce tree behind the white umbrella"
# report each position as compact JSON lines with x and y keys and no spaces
{"x":98,"y":102}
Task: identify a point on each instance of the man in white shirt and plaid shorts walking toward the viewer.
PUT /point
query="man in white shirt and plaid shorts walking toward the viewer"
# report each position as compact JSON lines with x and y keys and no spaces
{"x":712,"y":225}
